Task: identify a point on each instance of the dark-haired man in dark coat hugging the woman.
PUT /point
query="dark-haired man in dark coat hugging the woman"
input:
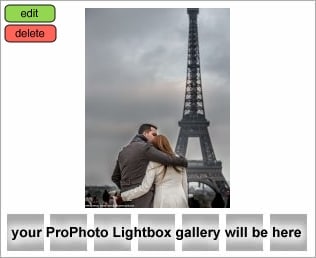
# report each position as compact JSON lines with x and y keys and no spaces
{"x":132,"y":163}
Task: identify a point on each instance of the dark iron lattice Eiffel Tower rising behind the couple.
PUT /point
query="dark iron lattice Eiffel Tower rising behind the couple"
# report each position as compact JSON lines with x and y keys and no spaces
{"x":194,"y":123}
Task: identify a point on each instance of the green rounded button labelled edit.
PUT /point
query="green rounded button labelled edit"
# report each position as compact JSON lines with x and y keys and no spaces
{"x":29,"y":13}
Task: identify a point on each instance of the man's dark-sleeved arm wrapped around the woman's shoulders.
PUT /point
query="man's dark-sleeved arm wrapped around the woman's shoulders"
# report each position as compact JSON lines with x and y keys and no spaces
{"x":153,"y":154}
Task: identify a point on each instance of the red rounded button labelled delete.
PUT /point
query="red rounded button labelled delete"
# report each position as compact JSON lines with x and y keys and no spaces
{"x":30,"y":33}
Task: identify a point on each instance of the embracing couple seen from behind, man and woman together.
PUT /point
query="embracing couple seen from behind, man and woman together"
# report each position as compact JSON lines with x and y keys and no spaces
{"x":149,"y":173}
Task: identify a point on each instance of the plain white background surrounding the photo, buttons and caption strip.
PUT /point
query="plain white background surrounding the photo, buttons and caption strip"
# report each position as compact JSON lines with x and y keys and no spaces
{"x":272,"y":118}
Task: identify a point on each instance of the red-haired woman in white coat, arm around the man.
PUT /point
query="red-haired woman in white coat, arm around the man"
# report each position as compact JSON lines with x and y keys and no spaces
{"x":171,"y":186}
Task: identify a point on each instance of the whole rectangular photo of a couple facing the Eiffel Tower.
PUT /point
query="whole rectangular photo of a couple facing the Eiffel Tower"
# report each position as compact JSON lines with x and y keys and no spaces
{"x":140,"y":153}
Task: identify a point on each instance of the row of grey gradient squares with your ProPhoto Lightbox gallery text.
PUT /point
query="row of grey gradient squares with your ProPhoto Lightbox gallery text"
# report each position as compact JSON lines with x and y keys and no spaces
{"x":287,"y":232}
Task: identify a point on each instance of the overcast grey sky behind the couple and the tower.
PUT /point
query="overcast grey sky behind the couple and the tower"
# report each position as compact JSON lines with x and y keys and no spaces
{"x":135,"y":72}
